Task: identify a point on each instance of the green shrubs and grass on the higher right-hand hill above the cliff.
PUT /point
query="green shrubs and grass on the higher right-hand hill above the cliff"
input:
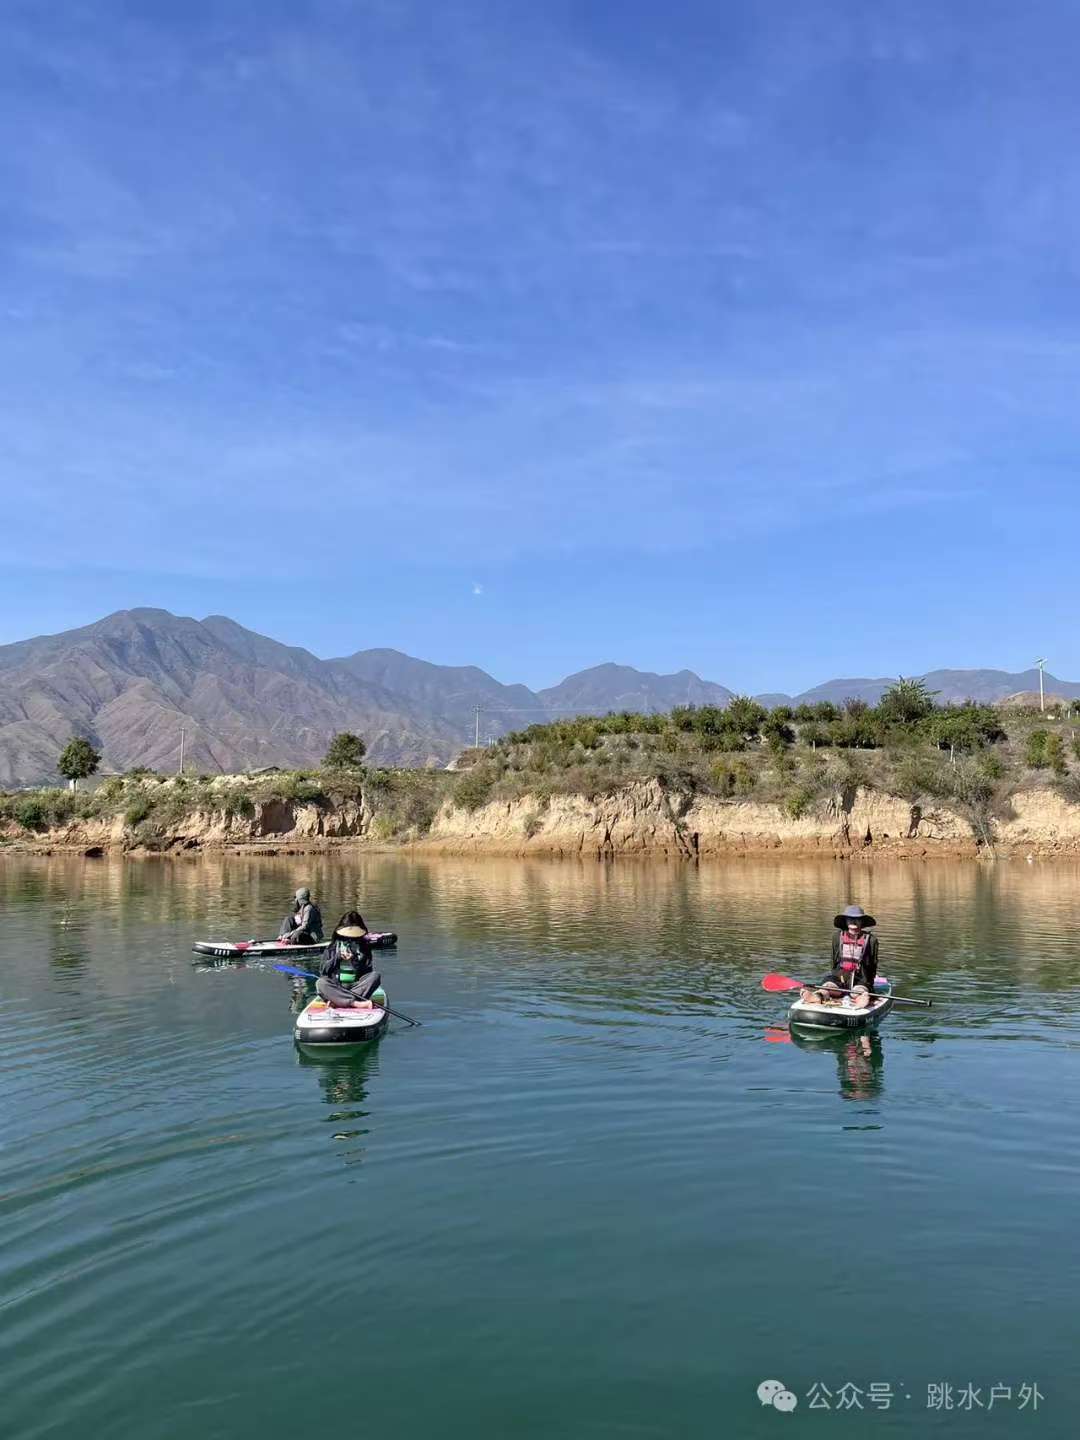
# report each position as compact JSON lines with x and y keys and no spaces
{"x":968,"y":757}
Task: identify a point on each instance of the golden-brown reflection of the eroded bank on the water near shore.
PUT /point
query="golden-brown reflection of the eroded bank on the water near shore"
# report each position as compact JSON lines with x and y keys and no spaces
{"x":626,"y":931}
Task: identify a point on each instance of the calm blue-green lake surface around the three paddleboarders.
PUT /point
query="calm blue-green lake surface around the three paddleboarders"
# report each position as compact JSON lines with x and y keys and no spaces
{"x":601,"y":1193}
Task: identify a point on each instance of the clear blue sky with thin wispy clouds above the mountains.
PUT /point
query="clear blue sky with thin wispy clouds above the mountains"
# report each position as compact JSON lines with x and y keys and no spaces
{"x":744,"y":338}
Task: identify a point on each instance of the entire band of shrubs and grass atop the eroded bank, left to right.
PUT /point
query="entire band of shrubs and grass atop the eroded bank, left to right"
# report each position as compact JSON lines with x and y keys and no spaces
{"x":807,"y":761}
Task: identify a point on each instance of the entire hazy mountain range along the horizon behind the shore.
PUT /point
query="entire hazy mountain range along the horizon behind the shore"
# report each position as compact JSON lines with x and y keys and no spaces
{"x":136,"y":680}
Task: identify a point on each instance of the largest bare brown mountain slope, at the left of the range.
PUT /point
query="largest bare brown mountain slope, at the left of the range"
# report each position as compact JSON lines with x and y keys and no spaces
{"x":135,"y":679}
